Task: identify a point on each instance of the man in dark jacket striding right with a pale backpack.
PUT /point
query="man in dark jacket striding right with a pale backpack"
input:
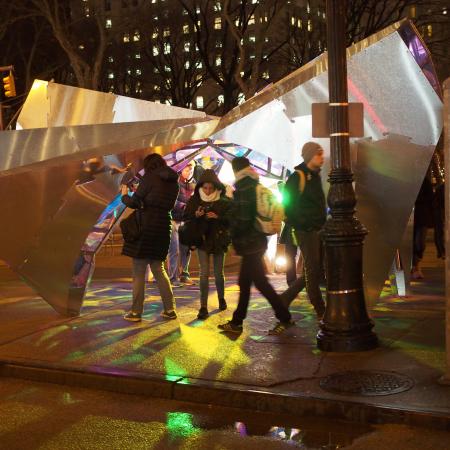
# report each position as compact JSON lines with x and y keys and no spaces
{"x":251,"y":244}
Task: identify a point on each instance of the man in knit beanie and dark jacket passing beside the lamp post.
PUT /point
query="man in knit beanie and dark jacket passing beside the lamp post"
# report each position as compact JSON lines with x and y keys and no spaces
{"x":305,"y":209}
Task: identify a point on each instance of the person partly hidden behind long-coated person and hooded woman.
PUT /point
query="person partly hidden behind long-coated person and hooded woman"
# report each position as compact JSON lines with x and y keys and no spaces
{"x":179,"y":254}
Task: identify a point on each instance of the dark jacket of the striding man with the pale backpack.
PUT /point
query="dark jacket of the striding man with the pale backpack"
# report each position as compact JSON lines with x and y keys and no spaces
{"x":245,"y":237}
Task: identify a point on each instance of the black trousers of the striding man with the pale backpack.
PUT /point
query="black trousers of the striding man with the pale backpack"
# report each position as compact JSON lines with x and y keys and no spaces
{"x":253,"y":271}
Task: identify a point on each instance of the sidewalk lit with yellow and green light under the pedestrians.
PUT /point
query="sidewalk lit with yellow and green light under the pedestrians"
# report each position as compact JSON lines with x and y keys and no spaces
{"x":190,"y":360}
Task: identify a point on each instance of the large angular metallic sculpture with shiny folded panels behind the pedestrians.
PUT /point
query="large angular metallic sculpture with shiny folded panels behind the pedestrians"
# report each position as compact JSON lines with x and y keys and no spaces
{"x":60,"y":170}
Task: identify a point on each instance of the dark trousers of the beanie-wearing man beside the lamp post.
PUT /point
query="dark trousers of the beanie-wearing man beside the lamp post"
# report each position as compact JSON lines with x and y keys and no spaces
{"x":311,"y":247}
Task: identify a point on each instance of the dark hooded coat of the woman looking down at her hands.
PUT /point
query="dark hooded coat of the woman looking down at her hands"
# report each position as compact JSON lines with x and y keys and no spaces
{"x":215,"y":232}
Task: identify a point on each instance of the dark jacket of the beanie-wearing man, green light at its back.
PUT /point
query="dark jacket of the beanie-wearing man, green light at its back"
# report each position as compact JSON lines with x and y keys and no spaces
{"x":305,"y":211}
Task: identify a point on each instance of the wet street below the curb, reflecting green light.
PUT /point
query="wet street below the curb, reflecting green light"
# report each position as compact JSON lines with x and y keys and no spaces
{"x":39,"y":415}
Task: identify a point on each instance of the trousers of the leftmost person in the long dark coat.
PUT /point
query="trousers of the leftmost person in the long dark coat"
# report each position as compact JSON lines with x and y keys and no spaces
{"x":162,"y":281}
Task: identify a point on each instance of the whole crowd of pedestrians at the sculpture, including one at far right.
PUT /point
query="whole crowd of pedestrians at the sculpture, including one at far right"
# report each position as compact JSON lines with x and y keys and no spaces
{"x":179,"y":214}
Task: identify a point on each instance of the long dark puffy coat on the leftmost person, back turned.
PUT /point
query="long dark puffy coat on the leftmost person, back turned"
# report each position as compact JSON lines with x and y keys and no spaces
{"x":158,"y":191}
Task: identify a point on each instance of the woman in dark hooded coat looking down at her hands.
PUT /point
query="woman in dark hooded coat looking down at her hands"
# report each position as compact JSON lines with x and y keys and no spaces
{"x":209,"y":208}
